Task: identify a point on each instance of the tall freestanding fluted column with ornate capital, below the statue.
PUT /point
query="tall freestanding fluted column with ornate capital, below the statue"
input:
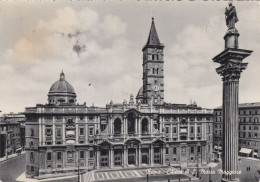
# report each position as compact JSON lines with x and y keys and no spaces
{"x":230,"y":69}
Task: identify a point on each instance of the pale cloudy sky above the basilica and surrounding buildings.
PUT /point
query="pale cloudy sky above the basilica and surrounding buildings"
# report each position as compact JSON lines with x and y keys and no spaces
{"x":98,"y":45}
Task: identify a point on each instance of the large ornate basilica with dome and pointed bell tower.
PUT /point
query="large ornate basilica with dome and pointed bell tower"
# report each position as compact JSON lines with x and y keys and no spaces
{"x":63,"y":135}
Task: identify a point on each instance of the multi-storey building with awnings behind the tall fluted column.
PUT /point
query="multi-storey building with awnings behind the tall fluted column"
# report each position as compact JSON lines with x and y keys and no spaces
{"x":249,"y":129}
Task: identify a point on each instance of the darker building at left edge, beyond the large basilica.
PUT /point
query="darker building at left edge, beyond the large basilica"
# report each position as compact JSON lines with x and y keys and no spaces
{"x":12,"y":133}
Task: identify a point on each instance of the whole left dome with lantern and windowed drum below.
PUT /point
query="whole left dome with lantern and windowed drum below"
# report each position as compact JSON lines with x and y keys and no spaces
{"x":62,"y":92}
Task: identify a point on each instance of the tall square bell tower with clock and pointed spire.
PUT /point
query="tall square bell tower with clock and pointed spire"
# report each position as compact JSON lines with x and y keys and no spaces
{"x":153,"y":83}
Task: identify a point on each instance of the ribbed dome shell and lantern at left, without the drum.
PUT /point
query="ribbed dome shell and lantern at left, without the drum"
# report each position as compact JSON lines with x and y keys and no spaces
{"x":62,"y":86}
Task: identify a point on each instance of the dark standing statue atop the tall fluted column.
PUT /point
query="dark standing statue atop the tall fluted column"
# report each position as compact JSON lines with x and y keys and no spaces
{"x":231,"y":16}
